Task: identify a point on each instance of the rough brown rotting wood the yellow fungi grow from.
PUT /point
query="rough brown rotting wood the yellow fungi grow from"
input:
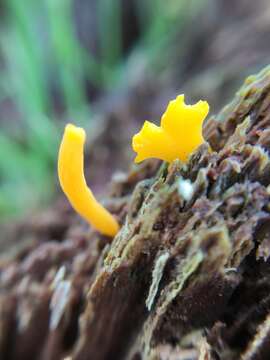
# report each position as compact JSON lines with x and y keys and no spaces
{"x":183,"y":279}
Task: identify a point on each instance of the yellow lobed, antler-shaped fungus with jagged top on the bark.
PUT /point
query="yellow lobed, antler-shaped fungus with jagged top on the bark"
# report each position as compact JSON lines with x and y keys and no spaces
{"x":178,"y":135}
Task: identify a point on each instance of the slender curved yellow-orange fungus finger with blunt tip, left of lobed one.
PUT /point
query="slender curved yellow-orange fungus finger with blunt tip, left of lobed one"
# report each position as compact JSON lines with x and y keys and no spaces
{"x":72,"y":180}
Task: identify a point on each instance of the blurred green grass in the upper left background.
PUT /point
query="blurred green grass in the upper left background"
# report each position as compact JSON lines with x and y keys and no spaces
{"x":48,"y":76}
